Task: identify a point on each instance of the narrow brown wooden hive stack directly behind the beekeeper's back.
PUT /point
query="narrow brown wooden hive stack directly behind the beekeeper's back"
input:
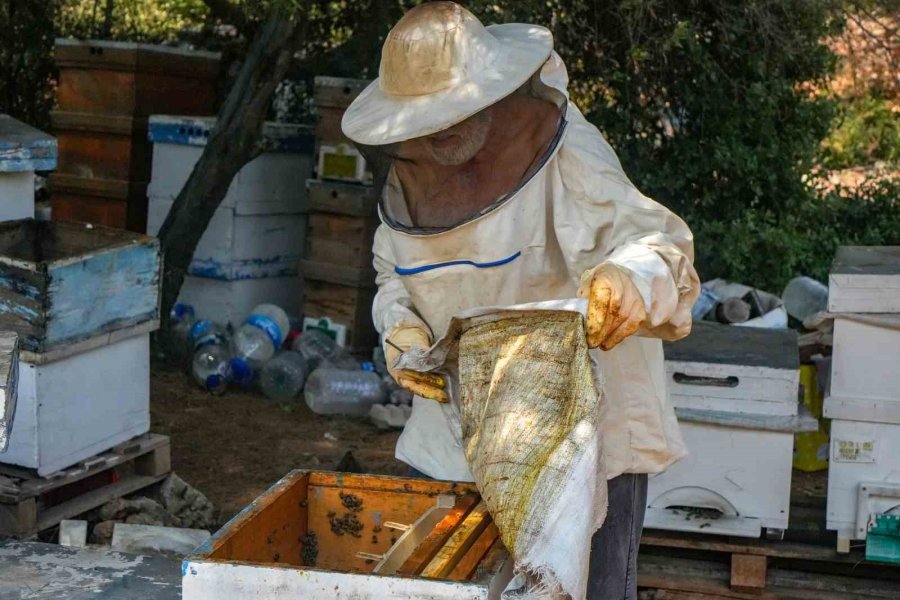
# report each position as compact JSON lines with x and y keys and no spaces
{"x":337,"y":267}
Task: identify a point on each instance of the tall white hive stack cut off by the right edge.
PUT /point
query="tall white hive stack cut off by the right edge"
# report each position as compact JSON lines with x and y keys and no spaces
{"x":864,"y":400}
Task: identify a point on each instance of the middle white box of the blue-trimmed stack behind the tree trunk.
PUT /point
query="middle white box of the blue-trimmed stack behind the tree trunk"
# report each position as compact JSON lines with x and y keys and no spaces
{"x":239,"y":246}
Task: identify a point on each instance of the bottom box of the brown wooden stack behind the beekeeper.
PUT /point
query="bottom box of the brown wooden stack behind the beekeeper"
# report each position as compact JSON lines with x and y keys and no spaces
{"x":346,"y":305}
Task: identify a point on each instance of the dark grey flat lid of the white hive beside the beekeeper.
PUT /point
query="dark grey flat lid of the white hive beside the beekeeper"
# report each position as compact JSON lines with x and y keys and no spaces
{"x":742,"y":346}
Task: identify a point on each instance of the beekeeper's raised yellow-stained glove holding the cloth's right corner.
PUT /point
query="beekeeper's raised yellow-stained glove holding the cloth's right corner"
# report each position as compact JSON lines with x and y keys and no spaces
{"x":615,"y":306}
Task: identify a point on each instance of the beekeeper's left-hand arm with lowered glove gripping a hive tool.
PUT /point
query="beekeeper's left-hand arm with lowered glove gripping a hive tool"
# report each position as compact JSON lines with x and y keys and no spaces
{"x":401,"y":328}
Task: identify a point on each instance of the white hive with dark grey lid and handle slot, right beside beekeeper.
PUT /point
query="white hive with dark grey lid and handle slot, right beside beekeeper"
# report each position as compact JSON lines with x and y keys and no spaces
{"x":735,"y":392}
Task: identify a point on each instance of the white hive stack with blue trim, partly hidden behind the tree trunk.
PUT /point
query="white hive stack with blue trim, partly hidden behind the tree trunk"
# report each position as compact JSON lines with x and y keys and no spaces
{"x":250,"y":251}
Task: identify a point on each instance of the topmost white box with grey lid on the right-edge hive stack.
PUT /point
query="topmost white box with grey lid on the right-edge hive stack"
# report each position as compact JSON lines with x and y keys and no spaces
{"x":865,"y":279}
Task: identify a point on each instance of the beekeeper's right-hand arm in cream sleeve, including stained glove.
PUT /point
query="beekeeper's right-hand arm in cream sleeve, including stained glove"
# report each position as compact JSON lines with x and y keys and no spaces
{"x":633,"y":258}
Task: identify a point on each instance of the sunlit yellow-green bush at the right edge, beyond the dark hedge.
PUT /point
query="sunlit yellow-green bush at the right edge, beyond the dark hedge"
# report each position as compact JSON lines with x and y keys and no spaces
{"x":868,"y":130}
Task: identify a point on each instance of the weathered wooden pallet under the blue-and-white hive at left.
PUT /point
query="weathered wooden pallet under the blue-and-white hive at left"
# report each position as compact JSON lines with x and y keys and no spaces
{"x":29,"y":503}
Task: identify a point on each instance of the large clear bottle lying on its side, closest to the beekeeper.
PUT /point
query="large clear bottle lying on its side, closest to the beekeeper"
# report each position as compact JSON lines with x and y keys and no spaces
{"x":343,"y":392}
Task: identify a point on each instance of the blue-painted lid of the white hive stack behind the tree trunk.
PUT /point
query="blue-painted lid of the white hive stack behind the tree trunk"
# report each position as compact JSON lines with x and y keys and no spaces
{"x":195,"y":131}
